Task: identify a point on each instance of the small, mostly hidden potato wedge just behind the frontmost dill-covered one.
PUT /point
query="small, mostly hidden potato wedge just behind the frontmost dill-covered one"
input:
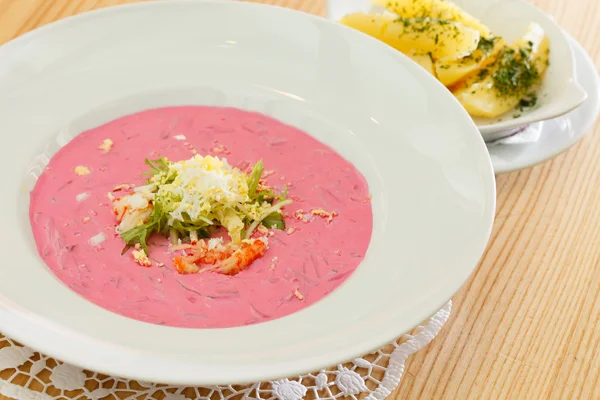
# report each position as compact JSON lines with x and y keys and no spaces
{"x":449,"y":72}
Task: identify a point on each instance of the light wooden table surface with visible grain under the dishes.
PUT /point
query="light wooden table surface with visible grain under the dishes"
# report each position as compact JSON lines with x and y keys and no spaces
{"x":527,"y":324}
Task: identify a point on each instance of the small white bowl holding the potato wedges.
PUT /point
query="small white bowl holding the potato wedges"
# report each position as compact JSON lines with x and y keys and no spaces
{"x":560,"y":92}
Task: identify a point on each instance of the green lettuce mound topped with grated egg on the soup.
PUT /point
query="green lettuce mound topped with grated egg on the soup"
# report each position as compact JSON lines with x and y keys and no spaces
{"x":192,"y":197}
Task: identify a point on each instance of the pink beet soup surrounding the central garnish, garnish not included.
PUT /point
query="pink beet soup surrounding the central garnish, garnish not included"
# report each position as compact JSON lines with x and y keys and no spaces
{"x":303,"y":264}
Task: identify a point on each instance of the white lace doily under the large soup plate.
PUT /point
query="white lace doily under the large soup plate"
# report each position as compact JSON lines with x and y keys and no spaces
{"x":28,"y":375}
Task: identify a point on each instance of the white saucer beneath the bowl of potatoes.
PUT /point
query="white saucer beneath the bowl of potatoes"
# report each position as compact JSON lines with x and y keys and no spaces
{"x":543,"y":140}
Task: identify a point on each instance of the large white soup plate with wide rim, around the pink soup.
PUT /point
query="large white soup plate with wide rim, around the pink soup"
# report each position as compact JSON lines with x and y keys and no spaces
{"x":428,"y":170}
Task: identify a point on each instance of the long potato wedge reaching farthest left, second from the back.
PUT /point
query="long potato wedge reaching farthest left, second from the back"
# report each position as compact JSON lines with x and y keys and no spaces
{"x":442,"y":39}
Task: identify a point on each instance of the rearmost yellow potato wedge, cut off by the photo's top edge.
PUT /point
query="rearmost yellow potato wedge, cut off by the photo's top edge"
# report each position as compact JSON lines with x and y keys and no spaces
{"x":437,"y":9}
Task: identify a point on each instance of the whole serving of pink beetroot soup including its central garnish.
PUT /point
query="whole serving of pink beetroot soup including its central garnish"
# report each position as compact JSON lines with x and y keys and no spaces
{"x":200,"y":217}
